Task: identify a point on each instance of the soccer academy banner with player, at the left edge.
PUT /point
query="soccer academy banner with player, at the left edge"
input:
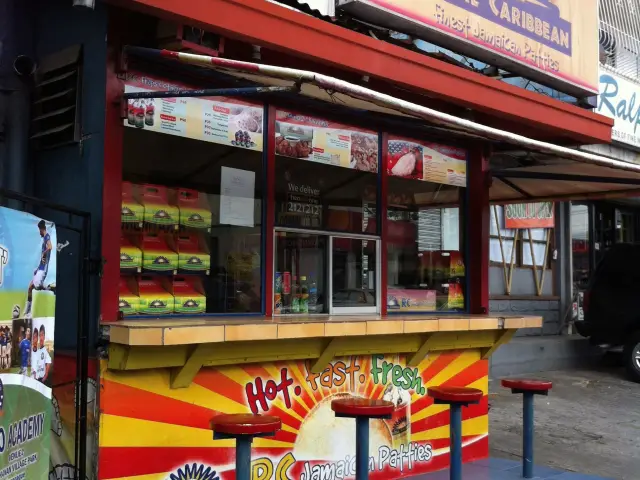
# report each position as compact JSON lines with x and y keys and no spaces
{"x":27,"y":321}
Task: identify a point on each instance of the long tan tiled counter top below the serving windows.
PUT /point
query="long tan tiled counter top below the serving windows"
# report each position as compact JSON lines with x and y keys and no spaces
{"x":190,"y":331}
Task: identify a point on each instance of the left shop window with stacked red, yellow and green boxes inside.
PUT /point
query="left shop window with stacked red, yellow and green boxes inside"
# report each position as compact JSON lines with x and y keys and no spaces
{"x":191,"y":205}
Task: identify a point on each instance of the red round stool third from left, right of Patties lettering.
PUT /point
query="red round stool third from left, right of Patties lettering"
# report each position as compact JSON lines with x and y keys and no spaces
{"x":456,"y":398}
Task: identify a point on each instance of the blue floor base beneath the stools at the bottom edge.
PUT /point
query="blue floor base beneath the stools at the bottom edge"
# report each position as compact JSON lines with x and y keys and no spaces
{"x":500,"y":469}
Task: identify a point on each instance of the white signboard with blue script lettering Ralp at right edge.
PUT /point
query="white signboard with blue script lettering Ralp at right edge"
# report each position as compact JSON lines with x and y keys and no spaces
{"x":619,"y":100}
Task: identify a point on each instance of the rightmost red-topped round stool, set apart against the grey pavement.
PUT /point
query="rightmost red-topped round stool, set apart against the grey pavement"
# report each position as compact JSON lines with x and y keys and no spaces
{"x":528,"y":388}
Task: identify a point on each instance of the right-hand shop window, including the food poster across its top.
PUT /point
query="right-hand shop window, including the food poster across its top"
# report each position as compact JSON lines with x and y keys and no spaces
{"x":426,"y":268}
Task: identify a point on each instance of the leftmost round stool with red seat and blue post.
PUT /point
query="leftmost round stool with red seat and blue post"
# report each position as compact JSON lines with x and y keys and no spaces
{"x":243,"y":427}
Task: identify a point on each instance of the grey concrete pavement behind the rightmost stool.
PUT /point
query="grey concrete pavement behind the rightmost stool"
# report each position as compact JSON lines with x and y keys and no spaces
{"x":590,"y":423}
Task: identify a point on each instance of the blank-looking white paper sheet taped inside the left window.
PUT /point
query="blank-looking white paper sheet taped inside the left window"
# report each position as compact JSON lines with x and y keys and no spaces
{"x":237,"y":189}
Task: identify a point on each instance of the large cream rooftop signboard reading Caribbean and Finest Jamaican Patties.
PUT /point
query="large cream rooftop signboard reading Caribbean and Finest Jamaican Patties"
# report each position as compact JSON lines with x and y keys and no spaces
{"x":550,"y":41}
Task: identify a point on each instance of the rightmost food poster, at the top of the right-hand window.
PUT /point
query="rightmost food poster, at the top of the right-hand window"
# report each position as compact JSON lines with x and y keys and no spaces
{"x":426,"y":161}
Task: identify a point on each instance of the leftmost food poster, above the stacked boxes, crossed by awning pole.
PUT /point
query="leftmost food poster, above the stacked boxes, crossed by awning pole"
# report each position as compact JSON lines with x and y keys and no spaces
{"x":227,"y":121}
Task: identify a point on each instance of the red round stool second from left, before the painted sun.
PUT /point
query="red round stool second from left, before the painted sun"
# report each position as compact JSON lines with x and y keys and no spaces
{"x":362,"y":409}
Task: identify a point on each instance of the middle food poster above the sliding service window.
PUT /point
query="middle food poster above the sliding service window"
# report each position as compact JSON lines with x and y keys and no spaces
{"x":318,"y":140}
